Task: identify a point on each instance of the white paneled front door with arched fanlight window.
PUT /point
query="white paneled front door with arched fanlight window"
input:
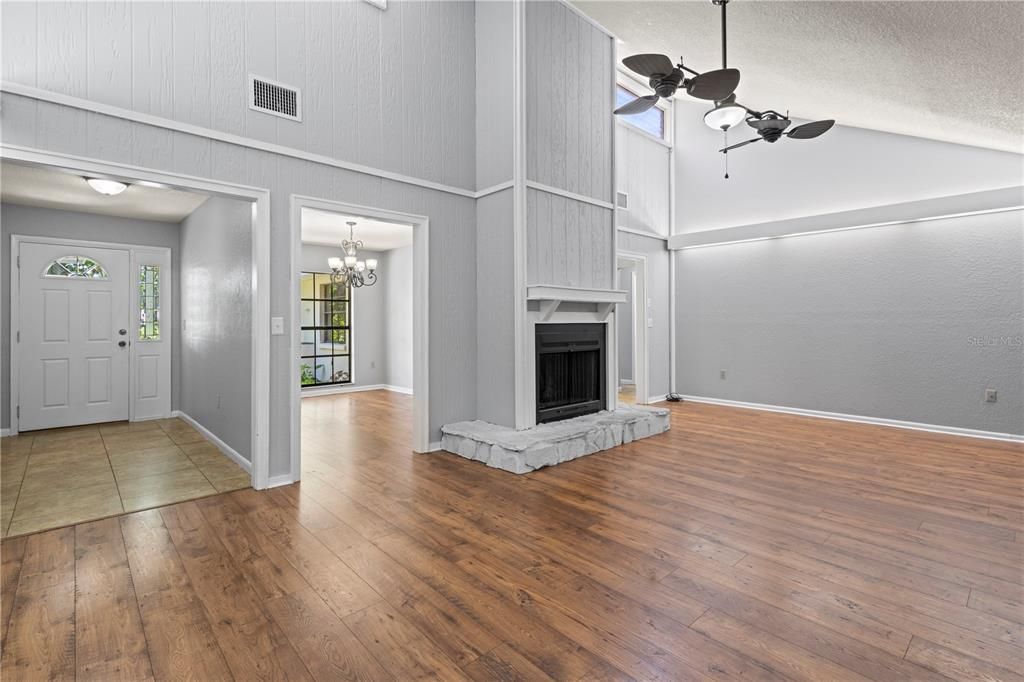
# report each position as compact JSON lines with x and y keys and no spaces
{"x":74,"y":347}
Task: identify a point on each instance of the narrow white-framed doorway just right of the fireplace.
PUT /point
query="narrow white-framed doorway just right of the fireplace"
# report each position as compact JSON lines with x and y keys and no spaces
{"x":631,"y":322}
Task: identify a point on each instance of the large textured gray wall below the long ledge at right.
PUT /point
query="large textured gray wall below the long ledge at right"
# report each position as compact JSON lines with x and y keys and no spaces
{"x":907,"y":322}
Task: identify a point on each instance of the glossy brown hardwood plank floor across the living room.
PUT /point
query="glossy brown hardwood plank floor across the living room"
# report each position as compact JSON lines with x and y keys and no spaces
{"x":741,"y":545}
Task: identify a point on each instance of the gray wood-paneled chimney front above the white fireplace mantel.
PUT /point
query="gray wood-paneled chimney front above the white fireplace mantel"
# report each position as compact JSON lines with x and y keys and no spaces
{"x":569,"y":80}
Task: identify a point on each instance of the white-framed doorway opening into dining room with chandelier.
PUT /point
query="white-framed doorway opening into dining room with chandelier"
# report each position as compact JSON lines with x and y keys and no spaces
{"x":361,"y":340}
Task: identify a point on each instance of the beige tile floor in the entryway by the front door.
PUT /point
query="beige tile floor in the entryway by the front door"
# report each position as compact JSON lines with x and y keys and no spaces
{"x":62,"y":477}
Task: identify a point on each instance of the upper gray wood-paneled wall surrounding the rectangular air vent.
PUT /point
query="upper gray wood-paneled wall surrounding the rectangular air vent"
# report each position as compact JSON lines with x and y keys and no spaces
{"x":386,"y":90}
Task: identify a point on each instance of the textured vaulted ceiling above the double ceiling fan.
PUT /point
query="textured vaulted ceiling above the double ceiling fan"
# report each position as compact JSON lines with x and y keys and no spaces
{"x":947,"y":71}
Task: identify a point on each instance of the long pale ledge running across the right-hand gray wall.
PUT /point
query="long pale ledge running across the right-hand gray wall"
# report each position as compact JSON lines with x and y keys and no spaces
{"x":958,"y":206}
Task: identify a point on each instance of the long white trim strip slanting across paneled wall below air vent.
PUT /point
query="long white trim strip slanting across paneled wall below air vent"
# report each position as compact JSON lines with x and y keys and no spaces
{"x":231,"y":139}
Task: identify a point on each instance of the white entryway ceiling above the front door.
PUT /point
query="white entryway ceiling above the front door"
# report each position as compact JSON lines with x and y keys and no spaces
{"x":51,"y":188}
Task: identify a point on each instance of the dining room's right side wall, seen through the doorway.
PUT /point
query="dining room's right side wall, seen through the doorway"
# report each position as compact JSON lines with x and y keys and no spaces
{"x":398,"y":278}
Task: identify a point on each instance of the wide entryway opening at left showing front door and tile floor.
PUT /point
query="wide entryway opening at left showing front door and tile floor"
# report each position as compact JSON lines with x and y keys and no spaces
{"x":117,"y":397}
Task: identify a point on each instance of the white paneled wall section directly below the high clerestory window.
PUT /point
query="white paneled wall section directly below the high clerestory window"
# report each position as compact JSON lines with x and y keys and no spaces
{"x":645,"y":167}
